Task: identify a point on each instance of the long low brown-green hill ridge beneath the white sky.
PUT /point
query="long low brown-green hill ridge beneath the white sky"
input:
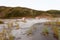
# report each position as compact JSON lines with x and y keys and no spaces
{"x":18,"y":12}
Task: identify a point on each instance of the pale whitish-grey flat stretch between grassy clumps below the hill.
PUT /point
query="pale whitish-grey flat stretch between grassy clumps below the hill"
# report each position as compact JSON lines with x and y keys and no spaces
{"x":20,"y":34}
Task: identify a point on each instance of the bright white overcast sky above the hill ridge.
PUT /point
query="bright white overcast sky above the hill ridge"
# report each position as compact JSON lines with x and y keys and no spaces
{"x":33,"y":4}
